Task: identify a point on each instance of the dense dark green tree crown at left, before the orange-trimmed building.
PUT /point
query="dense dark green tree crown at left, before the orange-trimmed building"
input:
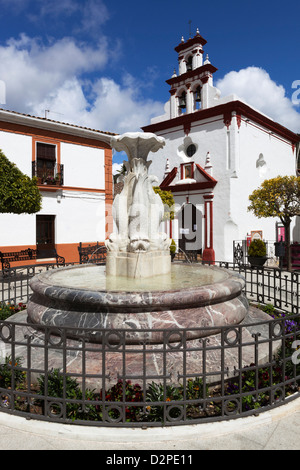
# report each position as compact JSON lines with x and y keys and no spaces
{"x":19,"y":193}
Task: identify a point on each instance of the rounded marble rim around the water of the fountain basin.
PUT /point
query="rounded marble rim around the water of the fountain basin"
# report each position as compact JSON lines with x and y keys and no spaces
{"x":209,"y":294}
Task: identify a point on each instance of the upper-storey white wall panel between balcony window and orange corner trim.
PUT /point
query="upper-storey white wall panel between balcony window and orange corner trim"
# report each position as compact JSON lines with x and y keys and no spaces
{"x":83,"y":166}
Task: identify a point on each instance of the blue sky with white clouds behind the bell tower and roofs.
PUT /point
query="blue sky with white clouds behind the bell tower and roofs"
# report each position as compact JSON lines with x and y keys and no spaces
{"x":103,"y":64}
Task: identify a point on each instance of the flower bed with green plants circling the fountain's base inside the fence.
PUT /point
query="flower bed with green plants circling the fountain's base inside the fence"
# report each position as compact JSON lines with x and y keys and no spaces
{"x":59,"y":395}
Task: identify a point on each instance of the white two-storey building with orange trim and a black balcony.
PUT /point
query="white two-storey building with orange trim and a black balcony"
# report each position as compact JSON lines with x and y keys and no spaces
{"x":74,"y":169}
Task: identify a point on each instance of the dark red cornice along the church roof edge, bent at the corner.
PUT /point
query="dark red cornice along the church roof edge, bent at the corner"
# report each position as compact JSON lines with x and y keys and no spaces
{"x":234,"y":106}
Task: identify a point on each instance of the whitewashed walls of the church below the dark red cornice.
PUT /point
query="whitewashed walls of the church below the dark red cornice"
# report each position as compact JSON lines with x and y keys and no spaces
{"x":234,"y":156}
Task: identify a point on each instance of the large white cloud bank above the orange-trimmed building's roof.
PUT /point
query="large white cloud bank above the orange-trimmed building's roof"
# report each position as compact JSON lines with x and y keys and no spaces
{"x":53,"y":77}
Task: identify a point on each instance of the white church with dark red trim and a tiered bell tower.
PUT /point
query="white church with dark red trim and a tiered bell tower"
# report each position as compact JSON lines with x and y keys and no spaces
{"x":218,"y":150}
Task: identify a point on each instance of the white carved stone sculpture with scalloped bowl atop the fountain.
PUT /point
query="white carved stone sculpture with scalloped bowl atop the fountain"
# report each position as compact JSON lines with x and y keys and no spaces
{"x":138,"y":249}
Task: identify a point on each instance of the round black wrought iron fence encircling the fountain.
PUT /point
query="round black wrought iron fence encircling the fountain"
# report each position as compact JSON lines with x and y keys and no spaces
{"x":239,"y":371}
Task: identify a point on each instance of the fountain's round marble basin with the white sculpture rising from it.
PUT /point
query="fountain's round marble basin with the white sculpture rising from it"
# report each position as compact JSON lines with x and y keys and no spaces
{"x":138,"y":288}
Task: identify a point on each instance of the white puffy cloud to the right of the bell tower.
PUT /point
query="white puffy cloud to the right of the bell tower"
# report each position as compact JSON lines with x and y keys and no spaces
{"x":255,"y":86}
